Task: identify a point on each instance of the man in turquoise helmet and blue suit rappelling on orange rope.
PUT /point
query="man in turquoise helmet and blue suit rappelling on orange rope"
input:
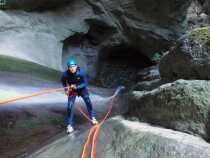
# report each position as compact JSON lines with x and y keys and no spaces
{"x":74,"y":79}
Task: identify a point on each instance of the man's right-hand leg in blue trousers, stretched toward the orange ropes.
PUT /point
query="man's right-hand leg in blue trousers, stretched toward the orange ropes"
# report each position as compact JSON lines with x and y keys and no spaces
{"x":85,"y":96}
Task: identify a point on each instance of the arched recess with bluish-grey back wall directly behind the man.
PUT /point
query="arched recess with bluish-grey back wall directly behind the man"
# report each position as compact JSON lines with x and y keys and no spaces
{"x":79,"y":46}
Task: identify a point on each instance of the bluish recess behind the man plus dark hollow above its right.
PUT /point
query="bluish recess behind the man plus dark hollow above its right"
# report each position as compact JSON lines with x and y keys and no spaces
{"x":84,"y":46}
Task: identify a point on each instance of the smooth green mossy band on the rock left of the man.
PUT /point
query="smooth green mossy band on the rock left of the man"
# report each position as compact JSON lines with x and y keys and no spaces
{"x":12,"y":64}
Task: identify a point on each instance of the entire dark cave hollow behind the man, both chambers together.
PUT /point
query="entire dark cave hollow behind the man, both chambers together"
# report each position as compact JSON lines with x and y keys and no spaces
{"x":106,"y":65}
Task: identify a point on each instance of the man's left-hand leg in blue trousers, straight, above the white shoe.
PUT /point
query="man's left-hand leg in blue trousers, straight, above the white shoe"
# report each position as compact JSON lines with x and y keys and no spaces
{"x":70,"y":110}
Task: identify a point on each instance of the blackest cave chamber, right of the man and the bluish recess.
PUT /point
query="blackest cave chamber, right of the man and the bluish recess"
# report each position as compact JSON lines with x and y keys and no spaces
{"x":120,"y":64}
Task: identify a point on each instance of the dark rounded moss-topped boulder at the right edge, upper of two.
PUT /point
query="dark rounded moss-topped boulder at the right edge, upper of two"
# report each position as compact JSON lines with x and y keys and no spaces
{"x":190,"y":58}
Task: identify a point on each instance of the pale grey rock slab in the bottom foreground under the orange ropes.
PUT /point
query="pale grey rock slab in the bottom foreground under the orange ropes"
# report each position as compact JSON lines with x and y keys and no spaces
{"x":121,"y":138}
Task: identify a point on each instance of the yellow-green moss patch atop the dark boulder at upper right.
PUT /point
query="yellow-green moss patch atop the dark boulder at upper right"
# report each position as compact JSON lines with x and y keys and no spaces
{"x":201,"y":35}
